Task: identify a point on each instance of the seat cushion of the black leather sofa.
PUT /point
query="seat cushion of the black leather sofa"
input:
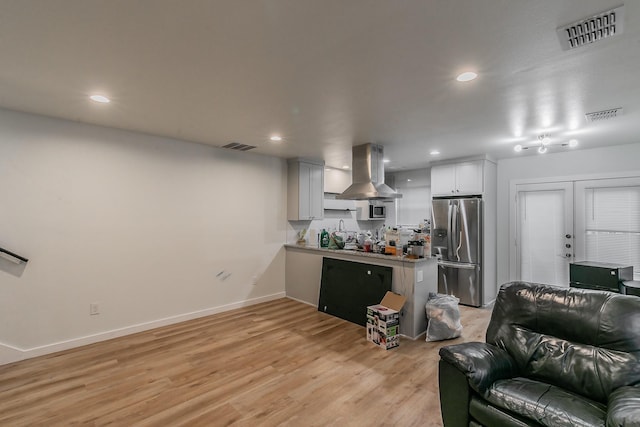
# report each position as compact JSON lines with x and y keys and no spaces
{"x":546,"y":404}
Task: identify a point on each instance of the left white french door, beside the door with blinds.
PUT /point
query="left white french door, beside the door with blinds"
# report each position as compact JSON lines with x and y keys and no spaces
{"x":542,"y":233}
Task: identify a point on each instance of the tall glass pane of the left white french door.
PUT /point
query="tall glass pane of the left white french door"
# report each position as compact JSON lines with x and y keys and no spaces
{"x":541,"y":230}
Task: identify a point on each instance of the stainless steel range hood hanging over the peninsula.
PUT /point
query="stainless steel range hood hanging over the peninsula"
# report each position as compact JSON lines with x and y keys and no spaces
{"x":368,"y":175}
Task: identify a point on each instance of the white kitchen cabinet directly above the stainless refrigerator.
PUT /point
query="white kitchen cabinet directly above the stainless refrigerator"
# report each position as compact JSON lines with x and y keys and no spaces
{"x":457,"y":179}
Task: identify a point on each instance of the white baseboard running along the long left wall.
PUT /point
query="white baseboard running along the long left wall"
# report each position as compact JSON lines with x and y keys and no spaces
{"x":10,"y":354}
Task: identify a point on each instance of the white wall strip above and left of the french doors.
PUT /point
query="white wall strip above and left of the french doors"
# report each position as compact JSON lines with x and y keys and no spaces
{"x":611,"y":161}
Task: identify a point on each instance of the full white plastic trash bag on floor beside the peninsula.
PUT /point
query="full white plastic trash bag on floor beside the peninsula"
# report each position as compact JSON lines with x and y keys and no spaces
{"x":443,"y":315}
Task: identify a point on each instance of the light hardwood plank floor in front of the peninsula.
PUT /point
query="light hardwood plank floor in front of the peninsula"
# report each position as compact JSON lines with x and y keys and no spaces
{"x":277,"y":363}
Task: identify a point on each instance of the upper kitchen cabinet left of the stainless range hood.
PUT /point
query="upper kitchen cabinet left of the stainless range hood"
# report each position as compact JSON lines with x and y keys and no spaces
{"x":305,"y":186}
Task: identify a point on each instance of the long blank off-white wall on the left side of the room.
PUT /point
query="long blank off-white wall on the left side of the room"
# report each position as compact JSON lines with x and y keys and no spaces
{"x":154,"y":230}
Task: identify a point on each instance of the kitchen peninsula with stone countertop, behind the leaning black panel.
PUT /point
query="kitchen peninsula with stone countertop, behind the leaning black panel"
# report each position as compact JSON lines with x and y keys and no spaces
{"x":412,"y":278}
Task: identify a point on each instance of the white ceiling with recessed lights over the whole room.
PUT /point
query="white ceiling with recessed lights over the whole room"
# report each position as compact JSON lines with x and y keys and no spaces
{"x":326,"y":74}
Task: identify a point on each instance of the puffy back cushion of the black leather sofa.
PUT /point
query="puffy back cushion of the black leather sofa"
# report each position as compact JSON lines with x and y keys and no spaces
{"x":582,"y":340}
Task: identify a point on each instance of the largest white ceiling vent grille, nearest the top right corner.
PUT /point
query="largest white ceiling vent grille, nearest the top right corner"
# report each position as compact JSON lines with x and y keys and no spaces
{"x":593,"y":29}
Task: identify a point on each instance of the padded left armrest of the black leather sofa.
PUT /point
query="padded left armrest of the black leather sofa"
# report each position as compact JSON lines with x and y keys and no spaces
{"x":481,"y":363}
